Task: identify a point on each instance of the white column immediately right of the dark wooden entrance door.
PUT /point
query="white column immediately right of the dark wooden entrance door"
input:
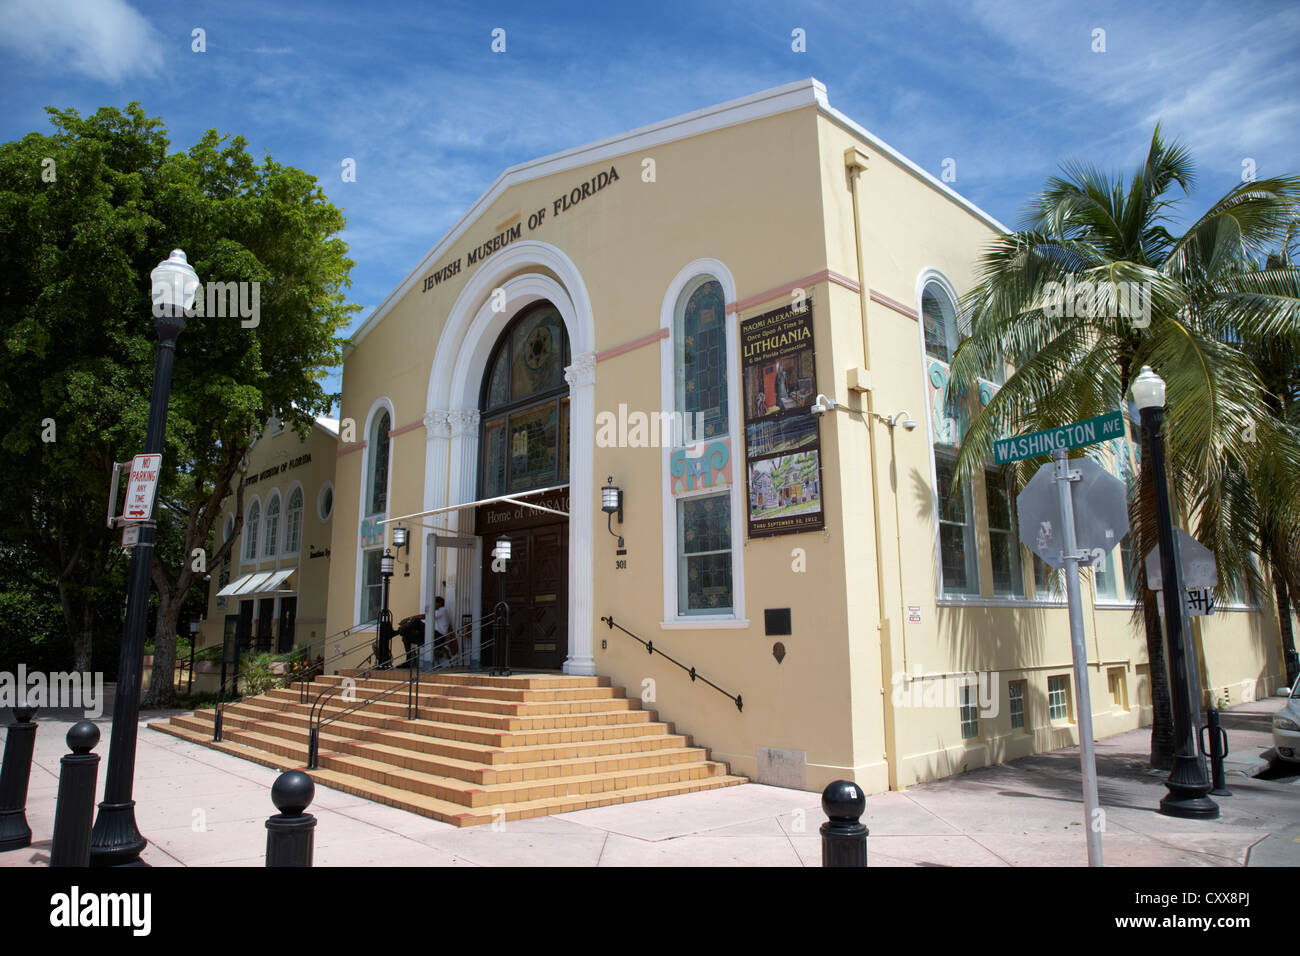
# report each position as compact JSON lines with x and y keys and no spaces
{"x":582,"y":605}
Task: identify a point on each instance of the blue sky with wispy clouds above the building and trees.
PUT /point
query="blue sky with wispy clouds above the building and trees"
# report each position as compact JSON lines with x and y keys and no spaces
{"x":414,"y":93}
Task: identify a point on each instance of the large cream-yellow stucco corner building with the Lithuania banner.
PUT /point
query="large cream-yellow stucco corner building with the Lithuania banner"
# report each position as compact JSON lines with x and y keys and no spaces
{"x":660,"y":313}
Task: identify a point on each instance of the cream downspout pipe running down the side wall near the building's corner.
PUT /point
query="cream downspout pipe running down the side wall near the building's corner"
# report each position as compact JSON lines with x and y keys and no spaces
{"x":856,"y":165}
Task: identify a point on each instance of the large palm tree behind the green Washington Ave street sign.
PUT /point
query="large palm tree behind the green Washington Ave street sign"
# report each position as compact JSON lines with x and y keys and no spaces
{"x":1175,"y":304}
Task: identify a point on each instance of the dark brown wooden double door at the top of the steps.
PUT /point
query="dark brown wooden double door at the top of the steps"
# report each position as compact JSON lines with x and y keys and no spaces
{"x":538,"y":594}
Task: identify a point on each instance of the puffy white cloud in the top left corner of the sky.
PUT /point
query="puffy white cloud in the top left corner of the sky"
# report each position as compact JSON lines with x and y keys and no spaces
{"x":105,"y":40}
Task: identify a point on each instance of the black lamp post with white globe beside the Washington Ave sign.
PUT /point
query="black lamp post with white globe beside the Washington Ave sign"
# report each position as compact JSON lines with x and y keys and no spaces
{"x":1189,"y":784}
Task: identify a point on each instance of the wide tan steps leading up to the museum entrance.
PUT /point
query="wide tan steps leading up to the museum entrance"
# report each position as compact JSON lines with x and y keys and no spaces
{"x":480,"y":750}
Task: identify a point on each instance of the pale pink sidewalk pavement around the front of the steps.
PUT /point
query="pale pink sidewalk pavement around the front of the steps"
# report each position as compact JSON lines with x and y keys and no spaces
{"x":203,"y":808}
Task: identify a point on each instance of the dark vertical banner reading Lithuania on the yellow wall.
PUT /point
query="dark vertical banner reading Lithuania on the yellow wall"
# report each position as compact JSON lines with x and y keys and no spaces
{"x":783,"y":444}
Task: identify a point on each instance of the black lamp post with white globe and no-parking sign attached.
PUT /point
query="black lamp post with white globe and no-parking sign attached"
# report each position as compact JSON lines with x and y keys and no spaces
{"x":116,"y":841}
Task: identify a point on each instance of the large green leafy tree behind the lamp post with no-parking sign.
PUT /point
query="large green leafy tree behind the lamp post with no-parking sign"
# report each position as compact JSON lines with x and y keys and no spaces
{"x":86,"y":213}
